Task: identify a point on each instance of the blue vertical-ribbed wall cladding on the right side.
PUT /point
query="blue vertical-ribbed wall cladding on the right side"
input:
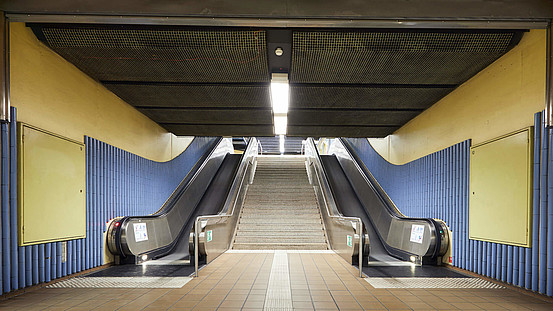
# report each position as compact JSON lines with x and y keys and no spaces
{"x":437,"y":186}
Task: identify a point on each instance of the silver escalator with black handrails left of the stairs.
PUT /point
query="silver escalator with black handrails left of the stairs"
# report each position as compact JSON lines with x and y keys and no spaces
{"x":164,"y":235}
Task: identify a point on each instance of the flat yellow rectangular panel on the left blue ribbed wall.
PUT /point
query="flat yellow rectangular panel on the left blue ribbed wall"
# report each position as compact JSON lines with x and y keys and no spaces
{"x":51,"y":188}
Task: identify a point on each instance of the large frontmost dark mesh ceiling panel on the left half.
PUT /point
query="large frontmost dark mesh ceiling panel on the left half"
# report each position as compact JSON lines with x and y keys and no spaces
{"x":161,"y":54}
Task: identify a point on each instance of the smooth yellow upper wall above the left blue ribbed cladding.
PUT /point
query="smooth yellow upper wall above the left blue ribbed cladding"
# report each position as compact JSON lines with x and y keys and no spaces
{"x":52,"y":94}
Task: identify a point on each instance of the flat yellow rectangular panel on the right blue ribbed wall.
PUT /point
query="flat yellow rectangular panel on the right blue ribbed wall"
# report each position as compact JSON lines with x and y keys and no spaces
{"x":500,"y":189}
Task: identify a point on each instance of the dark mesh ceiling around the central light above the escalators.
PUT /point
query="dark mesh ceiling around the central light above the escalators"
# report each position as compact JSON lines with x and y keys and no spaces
{"x":215,"y":81}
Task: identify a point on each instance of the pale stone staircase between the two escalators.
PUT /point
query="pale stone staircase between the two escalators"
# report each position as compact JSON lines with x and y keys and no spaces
{"x":280,"y":209}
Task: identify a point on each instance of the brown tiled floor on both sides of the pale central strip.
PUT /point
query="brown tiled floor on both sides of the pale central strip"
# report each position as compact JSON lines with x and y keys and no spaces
{"x":237,"y":281}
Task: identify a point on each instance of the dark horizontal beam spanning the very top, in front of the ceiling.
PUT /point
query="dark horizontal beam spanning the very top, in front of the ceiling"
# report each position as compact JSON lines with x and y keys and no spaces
{"x":393,"y":9}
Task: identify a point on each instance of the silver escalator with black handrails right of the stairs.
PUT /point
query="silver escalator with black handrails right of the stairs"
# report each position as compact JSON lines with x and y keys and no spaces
{"x":393,"y":237}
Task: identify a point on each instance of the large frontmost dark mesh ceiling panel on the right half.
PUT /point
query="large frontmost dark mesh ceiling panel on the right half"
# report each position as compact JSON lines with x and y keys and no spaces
{"x":399,"y":57}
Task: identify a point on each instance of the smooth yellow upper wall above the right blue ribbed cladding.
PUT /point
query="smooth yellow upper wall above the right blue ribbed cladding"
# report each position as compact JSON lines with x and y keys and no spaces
{"x":500,"y":99}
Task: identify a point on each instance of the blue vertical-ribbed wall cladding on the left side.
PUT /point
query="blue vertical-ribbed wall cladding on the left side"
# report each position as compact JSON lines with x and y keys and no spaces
{"x":119,"y":183}
